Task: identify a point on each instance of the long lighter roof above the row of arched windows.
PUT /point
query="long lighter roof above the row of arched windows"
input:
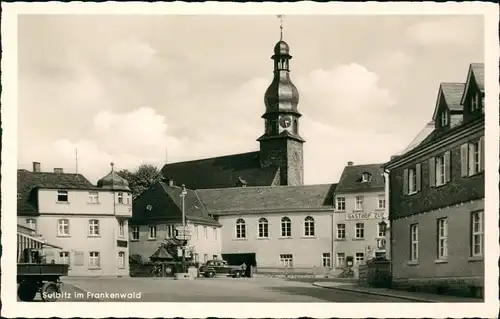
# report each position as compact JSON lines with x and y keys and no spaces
{"x":272,"y":198}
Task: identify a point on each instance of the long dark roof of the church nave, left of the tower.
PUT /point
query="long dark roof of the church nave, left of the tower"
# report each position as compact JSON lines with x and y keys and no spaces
{"x":221,"y":172}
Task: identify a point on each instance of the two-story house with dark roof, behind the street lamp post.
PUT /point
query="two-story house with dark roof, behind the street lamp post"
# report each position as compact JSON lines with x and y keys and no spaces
{"x":157,"y":214}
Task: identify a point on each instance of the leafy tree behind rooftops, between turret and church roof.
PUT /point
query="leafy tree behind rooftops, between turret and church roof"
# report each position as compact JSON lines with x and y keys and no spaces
{"x":142,"y":178}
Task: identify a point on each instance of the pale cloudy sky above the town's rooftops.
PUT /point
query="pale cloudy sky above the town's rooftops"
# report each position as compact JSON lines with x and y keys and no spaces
{"x":127,"y":88}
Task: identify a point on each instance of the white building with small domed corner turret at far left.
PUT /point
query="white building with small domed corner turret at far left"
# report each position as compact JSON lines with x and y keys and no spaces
{"x":89,"y":223}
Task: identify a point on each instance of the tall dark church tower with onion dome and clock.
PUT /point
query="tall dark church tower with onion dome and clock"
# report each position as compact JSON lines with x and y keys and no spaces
{"x":281,"y":144}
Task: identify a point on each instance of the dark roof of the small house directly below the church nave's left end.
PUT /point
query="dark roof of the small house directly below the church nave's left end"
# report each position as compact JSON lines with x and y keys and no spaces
{"x":163,"y":202}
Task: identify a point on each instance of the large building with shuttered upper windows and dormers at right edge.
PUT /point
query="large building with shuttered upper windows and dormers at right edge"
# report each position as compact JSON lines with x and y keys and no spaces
{"x":436,"y":201}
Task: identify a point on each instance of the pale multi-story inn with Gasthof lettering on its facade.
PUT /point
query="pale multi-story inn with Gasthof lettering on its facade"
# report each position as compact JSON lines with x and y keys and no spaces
{"x":359,"y":214}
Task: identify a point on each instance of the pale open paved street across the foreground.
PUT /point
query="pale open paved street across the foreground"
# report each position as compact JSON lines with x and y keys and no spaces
{"x":210,"y":290}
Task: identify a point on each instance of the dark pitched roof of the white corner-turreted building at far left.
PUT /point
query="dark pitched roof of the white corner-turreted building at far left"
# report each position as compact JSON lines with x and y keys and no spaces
{"x":28,"y":181}
